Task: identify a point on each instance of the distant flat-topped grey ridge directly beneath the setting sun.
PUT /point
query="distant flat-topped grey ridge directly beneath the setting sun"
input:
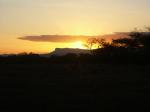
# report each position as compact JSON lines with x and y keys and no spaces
{"x":64,"y":51}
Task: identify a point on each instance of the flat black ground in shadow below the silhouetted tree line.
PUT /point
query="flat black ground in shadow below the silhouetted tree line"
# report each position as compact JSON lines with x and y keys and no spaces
{"x":74,"y":87}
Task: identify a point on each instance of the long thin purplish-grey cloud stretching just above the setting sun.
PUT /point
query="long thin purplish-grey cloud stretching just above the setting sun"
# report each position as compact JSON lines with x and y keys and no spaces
{"x":71,"y":38}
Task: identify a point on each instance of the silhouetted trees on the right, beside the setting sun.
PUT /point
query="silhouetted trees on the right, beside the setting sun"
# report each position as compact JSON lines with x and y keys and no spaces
{"x":136,"y":39}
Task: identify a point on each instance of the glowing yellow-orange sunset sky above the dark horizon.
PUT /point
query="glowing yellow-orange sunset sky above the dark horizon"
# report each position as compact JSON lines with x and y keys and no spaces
{"x":36,"y":18}
